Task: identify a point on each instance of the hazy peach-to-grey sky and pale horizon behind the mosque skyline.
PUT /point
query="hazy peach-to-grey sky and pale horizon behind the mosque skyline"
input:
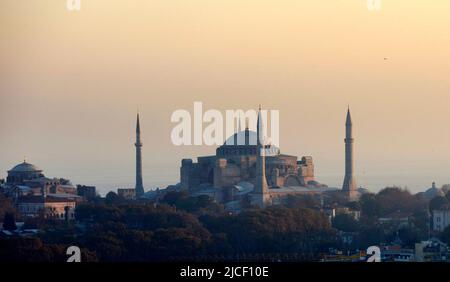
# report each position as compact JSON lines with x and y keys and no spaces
{"x":71,"y":83}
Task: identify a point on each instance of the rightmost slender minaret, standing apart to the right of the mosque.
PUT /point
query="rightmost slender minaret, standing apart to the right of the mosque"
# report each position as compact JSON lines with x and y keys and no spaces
{"x":349,"y":186}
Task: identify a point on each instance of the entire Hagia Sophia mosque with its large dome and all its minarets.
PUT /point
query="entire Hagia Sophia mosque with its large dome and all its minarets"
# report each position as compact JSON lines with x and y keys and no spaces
{"x":246,"y":169}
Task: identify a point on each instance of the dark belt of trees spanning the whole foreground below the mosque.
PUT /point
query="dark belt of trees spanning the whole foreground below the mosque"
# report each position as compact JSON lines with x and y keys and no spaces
{"x":180,"y":227}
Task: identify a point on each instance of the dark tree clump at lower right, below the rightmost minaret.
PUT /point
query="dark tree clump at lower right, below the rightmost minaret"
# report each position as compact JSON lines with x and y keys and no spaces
{"x":389,"y":203}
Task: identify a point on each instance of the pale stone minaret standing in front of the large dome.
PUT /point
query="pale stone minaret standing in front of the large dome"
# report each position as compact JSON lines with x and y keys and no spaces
{"x":261,"y":196}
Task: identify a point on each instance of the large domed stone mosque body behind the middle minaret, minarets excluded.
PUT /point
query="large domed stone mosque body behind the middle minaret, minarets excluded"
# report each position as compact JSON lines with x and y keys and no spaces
{"x":236,"y":162}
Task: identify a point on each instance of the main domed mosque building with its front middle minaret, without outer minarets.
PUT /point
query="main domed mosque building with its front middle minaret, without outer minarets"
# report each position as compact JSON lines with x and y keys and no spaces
{"x":254,"y":170}
